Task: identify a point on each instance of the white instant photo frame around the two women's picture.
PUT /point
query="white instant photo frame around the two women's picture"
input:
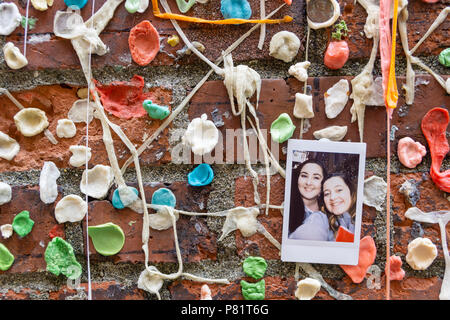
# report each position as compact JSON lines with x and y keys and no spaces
{"x":330,"y":251}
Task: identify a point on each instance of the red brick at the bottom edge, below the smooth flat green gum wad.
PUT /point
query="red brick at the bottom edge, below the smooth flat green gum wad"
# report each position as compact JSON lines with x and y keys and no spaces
{"x":109,"y":290}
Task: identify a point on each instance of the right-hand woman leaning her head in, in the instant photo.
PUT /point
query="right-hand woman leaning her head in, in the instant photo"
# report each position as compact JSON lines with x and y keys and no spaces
{"x":340,"y":203}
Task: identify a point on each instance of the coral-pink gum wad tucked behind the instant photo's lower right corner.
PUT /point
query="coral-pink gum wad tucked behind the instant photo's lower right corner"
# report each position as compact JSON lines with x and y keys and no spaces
{"x":367,"y":254}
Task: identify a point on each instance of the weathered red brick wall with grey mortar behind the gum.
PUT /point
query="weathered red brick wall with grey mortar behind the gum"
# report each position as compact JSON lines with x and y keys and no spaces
{"x":51,"y":80}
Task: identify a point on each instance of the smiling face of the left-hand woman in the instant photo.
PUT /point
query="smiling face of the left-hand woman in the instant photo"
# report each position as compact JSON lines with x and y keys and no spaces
{"x":309,"y":181}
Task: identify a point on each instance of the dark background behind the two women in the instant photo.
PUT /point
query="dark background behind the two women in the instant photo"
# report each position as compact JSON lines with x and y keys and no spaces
{"x":332,"y":162}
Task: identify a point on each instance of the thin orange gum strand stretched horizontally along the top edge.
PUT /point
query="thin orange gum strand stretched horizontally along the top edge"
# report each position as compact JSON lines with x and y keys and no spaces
{"x":181,"y":17}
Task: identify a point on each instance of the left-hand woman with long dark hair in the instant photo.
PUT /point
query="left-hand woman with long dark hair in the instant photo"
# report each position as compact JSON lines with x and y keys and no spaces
{"x":306,"y":221}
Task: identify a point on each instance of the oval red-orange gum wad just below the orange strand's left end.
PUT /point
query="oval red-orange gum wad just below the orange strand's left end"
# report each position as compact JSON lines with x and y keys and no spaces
{"x":144,"y":43}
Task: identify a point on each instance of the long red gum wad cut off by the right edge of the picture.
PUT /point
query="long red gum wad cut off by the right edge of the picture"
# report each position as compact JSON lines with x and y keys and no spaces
{"x":434,"y":126}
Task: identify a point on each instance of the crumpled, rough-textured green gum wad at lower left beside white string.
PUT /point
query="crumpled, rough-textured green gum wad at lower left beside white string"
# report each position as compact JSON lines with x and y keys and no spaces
{"x":60,"y":258}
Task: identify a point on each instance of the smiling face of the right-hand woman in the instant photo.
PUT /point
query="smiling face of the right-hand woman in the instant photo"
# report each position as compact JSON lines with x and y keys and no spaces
{"x":337,"y":195}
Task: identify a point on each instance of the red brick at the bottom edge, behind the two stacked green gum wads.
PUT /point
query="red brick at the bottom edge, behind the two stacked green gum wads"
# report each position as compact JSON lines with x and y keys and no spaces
{"x":276,"y":289}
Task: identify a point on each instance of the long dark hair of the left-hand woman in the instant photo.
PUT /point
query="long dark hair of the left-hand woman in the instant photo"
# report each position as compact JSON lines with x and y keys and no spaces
{"x":297,"y":207}
